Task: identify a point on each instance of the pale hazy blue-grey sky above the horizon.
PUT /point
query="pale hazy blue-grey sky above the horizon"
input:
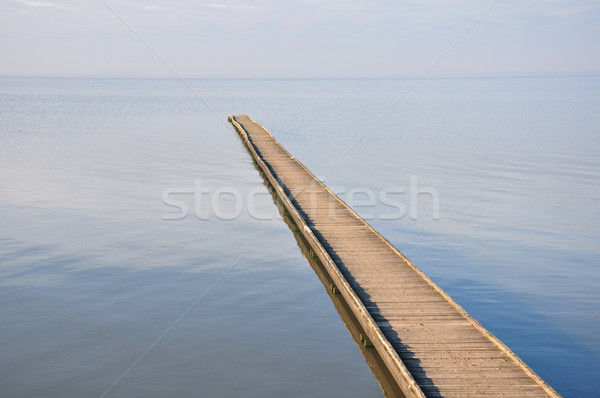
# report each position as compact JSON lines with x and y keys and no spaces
{"x":299,"y":38}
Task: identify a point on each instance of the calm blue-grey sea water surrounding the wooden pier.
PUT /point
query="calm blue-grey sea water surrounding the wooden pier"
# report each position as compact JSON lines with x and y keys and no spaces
{"x":100,"y":293}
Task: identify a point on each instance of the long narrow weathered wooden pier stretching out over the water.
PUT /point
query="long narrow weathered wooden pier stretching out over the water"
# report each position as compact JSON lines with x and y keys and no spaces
{"x":428,"y":343}
